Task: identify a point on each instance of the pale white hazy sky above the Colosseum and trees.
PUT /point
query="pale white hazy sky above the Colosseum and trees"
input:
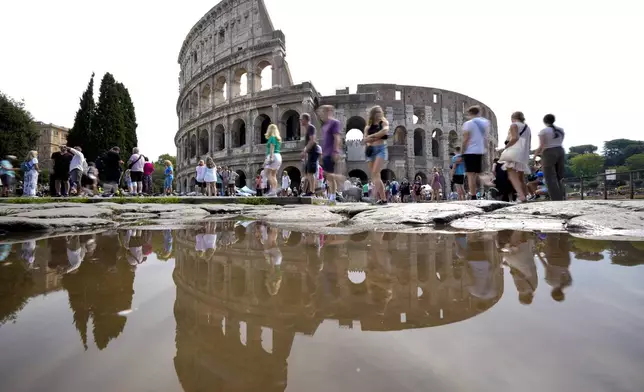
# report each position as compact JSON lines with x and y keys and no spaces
{"x":576,"y":59}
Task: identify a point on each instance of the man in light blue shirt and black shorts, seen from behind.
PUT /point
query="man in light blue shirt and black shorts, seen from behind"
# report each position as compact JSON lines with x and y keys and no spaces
{"x":475,"y":133}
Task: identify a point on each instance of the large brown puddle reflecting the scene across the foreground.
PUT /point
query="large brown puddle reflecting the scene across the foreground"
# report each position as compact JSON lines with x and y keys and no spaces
{"x":238,"y":305}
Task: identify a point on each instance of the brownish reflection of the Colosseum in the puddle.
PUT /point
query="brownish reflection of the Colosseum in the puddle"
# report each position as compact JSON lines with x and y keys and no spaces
{"x":235,"y":325}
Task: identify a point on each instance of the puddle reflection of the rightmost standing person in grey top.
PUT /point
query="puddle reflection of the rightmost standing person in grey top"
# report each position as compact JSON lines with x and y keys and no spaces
{"x":557,"y":264}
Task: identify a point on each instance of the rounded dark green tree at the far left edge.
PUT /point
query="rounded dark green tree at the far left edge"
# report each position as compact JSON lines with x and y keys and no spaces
{"x":18,"y":134}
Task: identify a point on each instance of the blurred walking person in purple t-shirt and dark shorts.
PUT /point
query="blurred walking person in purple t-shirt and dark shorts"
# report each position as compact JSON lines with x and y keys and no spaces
{"x":330,"y":148}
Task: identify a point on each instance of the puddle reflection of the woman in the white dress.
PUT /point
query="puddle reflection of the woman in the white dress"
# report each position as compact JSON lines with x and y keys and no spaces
{"x":518,"y":256}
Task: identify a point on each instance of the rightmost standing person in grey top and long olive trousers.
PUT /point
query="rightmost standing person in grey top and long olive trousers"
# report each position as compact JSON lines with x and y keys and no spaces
{"x":553,"y":157}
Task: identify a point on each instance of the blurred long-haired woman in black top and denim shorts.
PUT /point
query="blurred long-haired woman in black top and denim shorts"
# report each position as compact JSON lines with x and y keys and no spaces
{"x":376,"y":151}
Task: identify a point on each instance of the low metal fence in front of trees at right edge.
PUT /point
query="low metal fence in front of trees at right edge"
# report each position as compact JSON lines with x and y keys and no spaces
{"x":602,"y":189}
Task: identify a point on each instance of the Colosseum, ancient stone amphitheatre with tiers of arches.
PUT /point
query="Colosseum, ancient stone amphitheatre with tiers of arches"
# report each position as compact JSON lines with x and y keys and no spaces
{"x":234,"y":82}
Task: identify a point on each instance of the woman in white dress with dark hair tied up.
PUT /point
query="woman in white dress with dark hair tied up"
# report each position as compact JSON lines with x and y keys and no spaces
{"x":516,"y":155}
